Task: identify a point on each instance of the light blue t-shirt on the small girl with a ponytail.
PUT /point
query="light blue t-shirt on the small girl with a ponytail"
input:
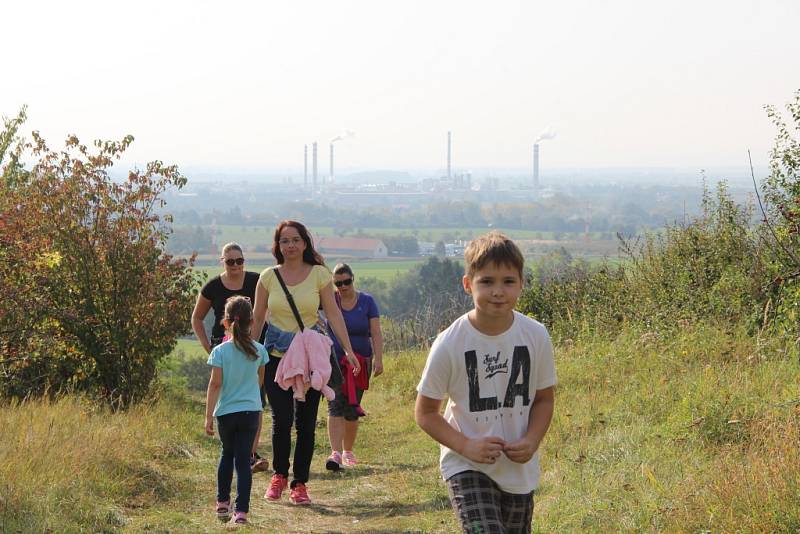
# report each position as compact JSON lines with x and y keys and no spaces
{"x":240,"y":391}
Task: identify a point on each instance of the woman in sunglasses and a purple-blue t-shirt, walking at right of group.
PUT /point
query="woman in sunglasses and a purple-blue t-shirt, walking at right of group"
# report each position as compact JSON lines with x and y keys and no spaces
{"x":363,"y":324}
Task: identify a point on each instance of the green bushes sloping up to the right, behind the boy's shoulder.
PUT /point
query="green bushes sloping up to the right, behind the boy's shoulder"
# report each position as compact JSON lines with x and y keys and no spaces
{"x":712,"y":268}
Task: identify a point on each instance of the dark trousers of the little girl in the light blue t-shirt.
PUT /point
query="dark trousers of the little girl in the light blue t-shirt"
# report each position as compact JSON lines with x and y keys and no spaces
{"x":236,"y":432}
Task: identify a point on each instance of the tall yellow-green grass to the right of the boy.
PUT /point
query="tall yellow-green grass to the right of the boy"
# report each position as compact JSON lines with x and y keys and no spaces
{"x":692,"y":431}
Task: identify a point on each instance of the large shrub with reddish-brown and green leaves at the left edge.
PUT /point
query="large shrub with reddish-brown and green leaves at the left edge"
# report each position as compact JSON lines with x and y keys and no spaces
{"x":99,"y":284}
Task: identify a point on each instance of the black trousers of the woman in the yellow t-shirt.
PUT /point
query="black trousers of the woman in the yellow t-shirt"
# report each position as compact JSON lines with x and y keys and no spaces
{"x":286,"y":410}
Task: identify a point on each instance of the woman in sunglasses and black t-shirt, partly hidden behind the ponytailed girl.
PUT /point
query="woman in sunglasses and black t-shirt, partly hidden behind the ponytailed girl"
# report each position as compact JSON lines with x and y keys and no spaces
{"x":233,"y":281}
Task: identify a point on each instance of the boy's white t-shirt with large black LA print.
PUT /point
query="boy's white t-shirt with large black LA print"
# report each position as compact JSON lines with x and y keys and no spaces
{"x":490,"y":383}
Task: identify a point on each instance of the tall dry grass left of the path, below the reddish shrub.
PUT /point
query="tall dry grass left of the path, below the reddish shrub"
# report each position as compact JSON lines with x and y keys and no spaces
{"x":67,"y":464}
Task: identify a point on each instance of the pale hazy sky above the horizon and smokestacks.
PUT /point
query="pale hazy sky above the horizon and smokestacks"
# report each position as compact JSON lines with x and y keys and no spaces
{"x":235,"y":85}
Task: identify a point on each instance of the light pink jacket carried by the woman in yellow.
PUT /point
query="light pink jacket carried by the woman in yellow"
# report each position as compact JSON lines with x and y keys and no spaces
{"x":305,"y":364}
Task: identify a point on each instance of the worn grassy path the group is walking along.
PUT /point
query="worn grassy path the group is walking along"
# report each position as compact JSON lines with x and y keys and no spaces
{"x":395,"y":488}
